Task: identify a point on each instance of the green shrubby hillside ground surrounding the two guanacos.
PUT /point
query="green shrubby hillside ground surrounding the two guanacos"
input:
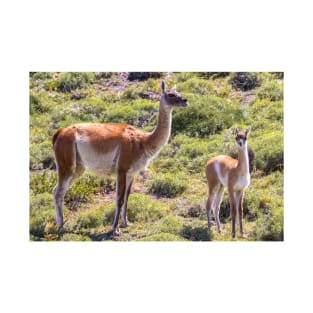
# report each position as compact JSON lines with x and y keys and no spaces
{"x":168,"y":201}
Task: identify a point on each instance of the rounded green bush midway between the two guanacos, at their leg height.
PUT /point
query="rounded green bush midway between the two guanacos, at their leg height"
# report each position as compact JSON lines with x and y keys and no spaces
{"x":168,"y":185}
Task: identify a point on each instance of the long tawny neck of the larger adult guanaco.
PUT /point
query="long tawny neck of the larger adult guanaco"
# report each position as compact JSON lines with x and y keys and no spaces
{"x":160,"y":135}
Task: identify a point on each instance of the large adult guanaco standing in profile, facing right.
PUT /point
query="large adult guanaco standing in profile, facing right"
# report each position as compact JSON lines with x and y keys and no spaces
{"x":105,"y":148}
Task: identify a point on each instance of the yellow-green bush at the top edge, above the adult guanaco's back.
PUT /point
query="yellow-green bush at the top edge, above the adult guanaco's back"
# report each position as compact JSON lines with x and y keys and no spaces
{"x":74,"y":80}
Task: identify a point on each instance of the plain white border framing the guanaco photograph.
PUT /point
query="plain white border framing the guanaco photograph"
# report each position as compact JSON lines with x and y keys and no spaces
{"x":159,"y":35}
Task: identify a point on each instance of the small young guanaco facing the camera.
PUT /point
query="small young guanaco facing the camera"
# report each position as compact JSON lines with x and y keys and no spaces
{"x":224,"y":171}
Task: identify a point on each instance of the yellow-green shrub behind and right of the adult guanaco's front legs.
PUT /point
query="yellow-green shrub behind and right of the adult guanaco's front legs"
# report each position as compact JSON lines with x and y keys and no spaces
{"x":141,"y":209}
